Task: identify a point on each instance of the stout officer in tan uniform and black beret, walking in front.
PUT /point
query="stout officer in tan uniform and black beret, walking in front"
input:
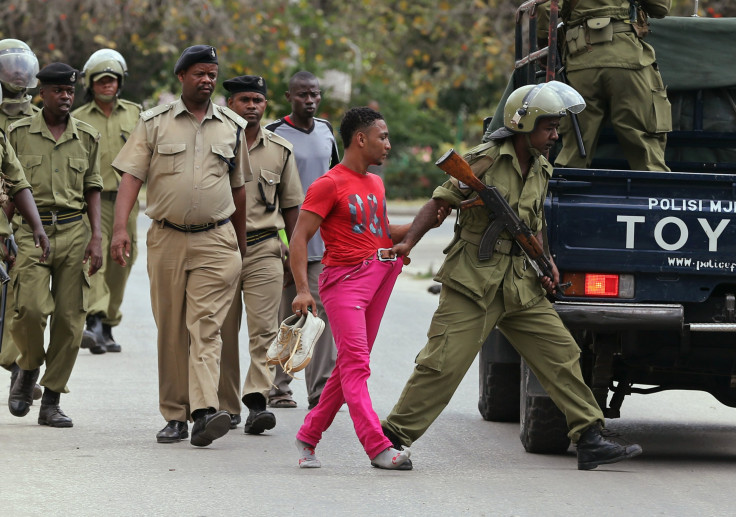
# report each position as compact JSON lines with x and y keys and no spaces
{"x":192,"y":155}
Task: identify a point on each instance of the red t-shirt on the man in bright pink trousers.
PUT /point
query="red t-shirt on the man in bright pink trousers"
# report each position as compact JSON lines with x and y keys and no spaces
{"x":353,"y":209}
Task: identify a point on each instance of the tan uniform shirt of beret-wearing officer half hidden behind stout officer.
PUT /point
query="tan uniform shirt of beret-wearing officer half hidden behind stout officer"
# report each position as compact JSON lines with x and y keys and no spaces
{"x":276,"y":182}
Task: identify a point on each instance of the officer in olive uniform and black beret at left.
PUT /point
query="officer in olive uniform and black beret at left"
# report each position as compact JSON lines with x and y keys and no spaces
{"x":60,"y":156}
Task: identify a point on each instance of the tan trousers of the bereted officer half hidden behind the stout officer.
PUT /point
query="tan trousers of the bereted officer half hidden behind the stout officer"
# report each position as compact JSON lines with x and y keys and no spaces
{"x":261,"y":282}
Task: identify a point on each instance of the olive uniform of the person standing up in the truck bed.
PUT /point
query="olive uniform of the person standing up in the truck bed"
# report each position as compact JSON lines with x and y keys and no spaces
{"x":616,"y":73}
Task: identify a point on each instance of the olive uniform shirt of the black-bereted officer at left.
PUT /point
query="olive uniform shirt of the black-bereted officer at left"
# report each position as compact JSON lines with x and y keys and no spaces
{"x":59,"y":171}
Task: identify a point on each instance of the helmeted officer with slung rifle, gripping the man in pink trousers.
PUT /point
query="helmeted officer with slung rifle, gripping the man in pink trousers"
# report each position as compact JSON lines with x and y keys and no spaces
{"x":503,"y":291}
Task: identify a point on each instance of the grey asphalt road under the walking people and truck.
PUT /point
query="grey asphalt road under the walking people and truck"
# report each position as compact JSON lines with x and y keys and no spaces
{"x":110,"y":464}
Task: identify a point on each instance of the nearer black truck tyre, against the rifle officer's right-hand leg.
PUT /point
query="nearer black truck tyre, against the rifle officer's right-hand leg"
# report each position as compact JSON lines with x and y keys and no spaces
{"x":543,"y":426}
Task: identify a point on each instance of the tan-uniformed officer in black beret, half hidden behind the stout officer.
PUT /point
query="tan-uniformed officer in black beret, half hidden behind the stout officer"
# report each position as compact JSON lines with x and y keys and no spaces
{"x":272,"y":205}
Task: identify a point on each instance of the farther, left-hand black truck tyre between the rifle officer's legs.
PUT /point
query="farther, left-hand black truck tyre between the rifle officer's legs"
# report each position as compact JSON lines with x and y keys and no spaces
{"x":498,"y":399}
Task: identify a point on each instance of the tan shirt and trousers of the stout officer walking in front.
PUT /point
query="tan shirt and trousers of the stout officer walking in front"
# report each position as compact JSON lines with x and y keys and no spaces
{"x":193,"y":275}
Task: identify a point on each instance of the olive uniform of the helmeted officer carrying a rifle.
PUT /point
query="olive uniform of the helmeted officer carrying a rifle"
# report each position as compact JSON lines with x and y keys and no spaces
{"x":503,"y":291}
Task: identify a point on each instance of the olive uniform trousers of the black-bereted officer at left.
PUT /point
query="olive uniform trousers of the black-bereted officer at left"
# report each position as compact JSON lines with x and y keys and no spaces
{"x":65,"y":302}
